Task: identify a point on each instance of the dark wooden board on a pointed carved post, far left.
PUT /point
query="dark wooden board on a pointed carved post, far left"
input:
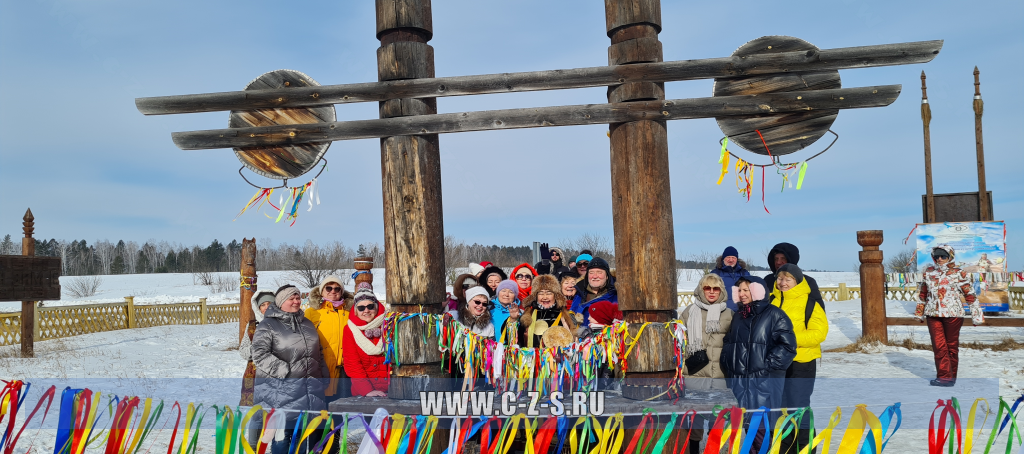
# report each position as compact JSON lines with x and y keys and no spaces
{"x":29,"y":279}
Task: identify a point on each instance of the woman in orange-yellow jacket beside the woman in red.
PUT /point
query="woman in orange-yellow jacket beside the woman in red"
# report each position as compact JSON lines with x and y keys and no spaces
{"x":330,"y":318}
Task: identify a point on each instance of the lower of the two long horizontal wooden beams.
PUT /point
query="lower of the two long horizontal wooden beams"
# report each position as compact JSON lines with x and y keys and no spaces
{"x":767,"y":104}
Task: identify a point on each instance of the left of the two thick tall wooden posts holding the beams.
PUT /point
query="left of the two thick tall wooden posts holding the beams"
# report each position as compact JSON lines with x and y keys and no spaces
{"x":414,"y":235}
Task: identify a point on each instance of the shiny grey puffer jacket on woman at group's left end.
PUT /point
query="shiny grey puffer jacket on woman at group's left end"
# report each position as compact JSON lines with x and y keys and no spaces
{"x":289,"y":362}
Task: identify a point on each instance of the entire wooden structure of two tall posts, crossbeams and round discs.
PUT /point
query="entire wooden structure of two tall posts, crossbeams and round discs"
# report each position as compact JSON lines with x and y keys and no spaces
{"x":783,"y":89}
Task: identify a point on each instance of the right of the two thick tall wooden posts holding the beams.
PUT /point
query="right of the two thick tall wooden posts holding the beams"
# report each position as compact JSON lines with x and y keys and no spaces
{"x":642,"y":201}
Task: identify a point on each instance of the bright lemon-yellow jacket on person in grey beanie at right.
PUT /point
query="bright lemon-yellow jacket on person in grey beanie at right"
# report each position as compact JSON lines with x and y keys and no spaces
{"x":810,"y":334}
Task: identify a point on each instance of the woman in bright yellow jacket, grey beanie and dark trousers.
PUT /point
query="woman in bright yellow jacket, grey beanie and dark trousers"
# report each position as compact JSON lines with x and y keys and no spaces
{"x":792,"y":296}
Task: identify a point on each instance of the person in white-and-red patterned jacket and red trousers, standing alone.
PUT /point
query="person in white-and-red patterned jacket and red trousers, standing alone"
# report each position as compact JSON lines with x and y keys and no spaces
{"x":945,"y":291}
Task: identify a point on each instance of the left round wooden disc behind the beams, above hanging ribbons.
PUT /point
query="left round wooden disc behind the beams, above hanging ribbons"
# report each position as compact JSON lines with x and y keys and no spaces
{"x":282,"y":162}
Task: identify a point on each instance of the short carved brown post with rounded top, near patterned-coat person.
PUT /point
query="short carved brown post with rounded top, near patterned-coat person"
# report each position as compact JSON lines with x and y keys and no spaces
{"x":873,"y":286}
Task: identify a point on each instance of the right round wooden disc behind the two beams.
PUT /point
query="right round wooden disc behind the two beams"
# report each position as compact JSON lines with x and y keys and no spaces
{"x":785,"y":134}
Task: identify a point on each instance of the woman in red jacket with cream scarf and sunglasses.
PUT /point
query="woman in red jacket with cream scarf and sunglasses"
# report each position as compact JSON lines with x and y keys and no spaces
{"x":364,"y":346}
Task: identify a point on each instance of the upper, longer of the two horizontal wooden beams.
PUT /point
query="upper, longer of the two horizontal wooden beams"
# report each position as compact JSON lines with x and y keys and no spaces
{"x":846,"y":58}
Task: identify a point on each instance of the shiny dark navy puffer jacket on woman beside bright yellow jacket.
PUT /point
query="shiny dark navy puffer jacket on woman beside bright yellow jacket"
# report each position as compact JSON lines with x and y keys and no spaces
{"x":757,"y":353}
